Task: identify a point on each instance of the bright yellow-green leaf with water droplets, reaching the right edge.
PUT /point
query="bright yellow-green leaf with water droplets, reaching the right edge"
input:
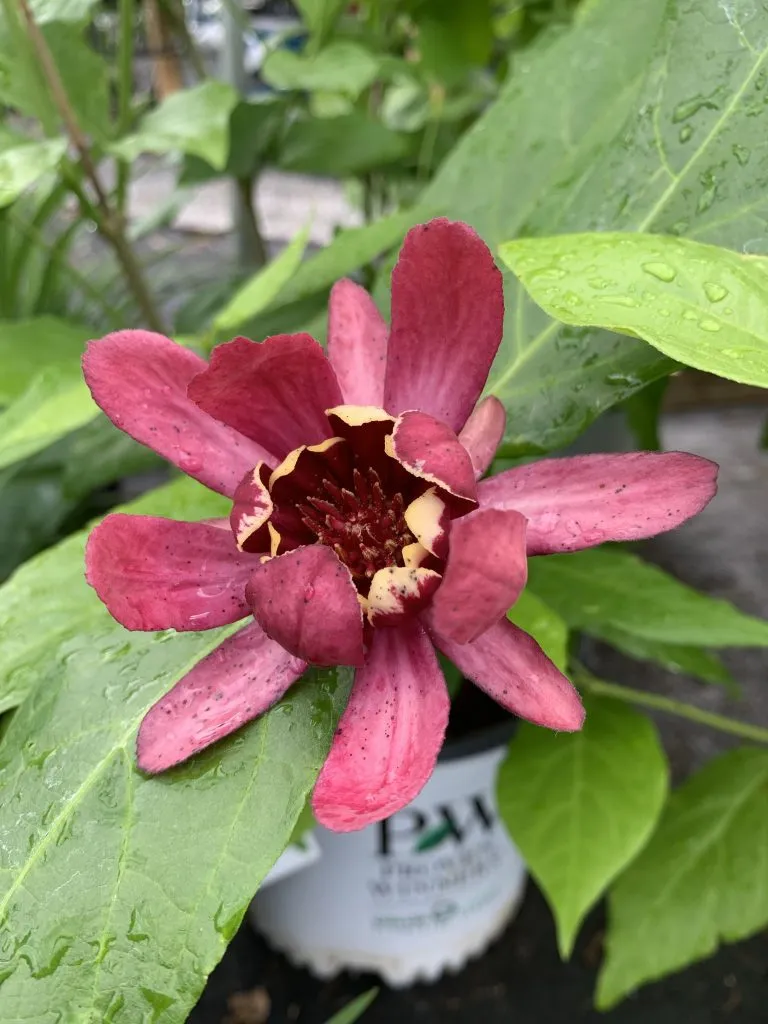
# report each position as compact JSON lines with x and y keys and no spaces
{"x":702,"y":306}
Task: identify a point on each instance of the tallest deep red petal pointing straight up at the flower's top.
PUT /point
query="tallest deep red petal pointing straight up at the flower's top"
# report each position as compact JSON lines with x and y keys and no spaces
{"x":448,"y":314}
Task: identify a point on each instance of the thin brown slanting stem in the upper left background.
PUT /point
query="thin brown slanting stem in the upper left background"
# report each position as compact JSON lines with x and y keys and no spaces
{"x":108,"y":221}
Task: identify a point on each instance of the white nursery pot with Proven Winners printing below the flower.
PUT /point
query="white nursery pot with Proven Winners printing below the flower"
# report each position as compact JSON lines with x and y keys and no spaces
{"x":412,"y":897}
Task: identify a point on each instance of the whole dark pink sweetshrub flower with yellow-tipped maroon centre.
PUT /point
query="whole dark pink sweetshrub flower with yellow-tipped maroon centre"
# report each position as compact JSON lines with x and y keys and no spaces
{"x":359,"y":533}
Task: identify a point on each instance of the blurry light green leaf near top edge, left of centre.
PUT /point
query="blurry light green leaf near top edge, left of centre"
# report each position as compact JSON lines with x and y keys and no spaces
{"x":342,"y":67}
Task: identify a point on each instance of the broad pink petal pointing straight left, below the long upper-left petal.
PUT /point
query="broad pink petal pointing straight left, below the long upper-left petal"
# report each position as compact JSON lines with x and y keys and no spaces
{"x":157,"y":574}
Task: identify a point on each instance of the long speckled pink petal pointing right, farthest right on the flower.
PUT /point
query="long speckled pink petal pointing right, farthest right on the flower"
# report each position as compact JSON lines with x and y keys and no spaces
{"x":577,"y":503}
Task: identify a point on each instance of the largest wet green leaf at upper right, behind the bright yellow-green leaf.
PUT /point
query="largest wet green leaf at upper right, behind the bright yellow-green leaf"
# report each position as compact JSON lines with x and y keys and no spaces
{"x":604,"y":140}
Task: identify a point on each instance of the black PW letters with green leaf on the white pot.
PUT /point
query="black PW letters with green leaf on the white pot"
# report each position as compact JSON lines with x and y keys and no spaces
{"x":416,"y":832}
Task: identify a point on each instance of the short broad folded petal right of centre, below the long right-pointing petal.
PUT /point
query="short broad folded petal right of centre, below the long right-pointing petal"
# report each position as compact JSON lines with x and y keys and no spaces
{"x":486,"y":573}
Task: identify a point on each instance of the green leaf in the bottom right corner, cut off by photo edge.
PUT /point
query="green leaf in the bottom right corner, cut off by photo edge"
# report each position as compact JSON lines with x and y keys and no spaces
{"x":701,"y":881}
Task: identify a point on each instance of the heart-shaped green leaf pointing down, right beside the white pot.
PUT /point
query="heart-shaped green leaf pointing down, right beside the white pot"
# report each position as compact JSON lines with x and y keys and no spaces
{"x":582,"y":805}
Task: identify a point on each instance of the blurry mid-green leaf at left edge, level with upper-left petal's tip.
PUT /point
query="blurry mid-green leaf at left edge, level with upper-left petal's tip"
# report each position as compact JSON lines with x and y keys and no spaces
{"x":29,"y":346}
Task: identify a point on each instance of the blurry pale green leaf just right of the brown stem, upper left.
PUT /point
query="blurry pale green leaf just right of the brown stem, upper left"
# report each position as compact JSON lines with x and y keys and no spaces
{"x":194,"y":121}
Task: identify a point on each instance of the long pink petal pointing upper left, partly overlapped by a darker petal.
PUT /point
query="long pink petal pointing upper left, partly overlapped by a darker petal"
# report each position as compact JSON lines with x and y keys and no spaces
{"x":140,"y":379}
